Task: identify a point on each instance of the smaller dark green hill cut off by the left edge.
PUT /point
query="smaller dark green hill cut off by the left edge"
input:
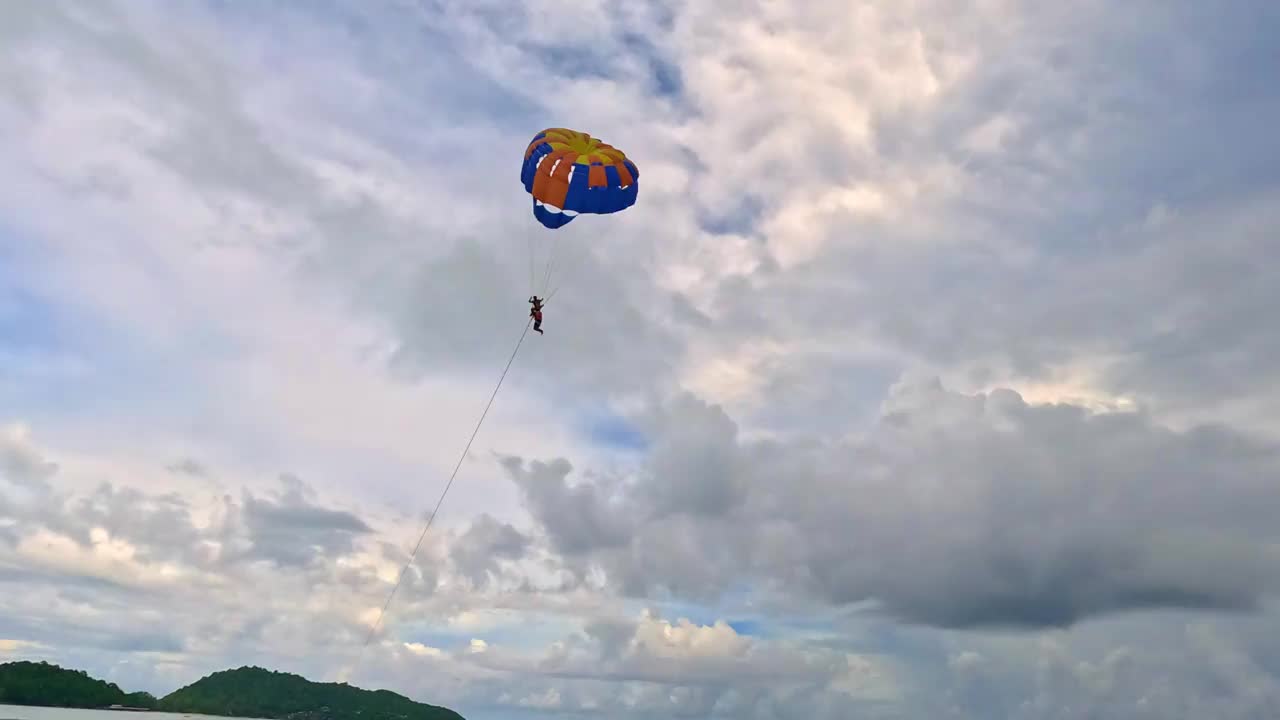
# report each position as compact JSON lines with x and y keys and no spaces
{"x":51,"y":686}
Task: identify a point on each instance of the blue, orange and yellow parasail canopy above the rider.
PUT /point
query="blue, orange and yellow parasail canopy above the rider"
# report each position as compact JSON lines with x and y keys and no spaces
{"x":570,"y":174}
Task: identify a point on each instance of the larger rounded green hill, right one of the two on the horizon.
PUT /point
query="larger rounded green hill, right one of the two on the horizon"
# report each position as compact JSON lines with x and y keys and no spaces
{"x":254,"y":692}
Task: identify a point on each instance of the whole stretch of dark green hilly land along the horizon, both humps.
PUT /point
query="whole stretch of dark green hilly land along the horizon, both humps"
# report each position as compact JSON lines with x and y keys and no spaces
{"x":245,"y":692}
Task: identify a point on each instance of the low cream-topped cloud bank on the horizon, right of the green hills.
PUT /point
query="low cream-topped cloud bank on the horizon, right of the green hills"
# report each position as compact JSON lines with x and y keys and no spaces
{"x":650,"y":664}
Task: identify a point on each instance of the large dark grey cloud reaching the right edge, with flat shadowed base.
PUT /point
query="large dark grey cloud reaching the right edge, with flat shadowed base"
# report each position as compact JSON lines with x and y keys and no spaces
{"x":956,"y":511}
